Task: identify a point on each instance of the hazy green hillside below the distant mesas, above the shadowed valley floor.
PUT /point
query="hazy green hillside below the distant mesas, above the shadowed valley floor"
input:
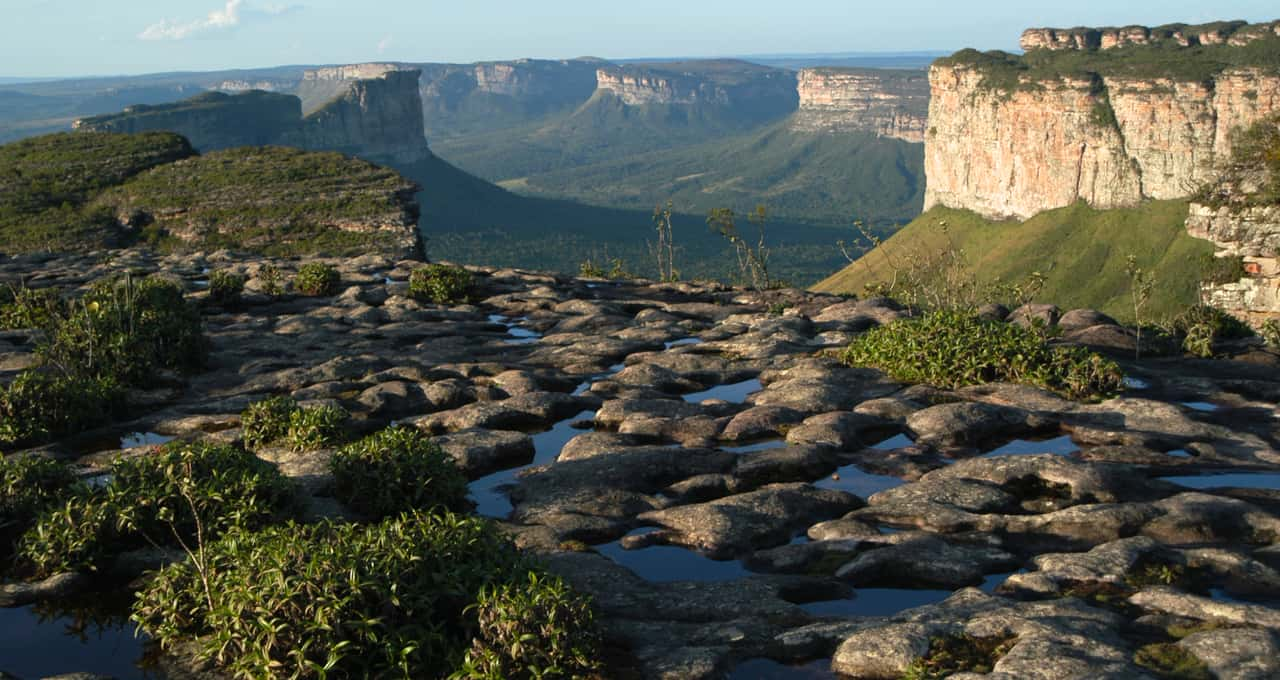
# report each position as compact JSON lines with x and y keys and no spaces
{"x":811,"y":177}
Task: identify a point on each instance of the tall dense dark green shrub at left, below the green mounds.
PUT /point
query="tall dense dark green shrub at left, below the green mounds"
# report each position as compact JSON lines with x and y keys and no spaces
{"x":126,"y":330}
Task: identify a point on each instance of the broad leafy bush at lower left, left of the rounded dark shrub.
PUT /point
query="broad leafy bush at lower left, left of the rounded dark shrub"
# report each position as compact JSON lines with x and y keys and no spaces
{"x":182,"y":495}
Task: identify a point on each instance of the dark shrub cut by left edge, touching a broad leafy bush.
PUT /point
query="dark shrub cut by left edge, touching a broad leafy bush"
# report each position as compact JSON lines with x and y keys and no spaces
{"x":29,"y":487}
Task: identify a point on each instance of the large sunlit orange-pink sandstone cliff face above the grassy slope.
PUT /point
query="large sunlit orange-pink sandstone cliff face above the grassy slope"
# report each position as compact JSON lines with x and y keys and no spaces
{"x":1011,"y":136}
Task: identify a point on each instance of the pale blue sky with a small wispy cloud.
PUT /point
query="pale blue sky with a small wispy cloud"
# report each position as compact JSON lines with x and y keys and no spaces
{"x":95,"y":38}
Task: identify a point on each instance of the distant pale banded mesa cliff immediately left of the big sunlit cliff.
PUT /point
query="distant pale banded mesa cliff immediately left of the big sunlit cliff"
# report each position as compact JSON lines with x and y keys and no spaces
{"x":886,"y":103}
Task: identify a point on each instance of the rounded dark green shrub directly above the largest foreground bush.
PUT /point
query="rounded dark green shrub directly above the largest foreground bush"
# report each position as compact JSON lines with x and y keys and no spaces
{"x":397,"y":471}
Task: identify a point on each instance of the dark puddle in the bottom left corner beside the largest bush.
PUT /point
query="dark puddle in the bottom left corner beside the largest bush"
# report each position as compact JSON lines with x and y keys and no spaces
{"x":42,"y":642}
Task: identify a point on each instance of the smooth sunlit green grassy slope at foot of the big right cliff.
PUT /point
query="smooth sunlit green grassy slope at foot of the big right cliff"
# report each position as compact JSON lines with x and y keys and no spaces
{"x":1080,"y":249}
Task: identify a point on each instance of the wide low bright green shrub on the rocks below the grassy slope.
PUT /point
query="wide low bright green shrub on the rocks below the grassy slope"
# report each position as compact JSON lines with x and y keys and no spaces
{"x":953,"y":349}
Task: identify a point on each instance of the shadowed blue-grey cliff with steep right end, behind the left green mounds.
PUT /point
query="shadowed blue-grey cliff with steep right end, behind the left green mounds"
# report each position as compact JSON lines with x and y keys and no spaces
{"x":374,"y":113}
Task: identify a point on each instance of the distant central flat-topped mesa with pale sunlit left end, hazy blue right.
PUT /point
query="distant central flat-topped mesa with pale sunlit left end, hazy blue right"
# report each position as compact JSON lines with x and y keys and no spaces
{"x":710,"y":84}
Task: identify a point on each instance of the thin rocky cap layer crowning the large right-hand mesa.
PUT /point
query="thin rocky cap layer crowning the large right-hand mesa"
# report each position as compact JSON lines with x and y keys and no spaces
{"x":1236,"y":34}
